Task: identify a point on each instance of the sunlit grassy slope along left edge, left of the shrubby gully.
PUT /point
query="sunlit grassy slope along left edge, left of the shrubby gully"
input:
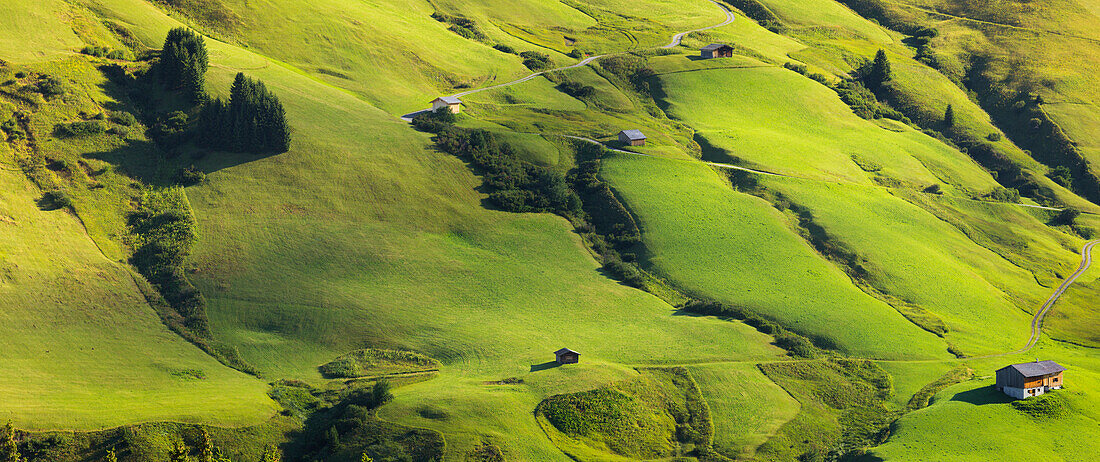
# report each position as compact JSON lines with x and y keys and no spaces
{"x":91,"y":354}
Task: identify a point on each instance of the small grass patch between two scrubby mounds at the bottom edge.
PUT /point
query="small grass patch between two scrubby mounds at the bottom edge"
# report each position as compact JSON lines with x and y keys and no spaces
{"x":746,"y":408}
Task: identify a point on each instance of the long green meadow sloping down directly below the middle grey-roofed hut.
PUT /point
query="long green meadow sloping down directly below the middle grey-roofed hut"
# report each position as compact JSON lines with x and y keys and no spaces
{"x":711,"y":240}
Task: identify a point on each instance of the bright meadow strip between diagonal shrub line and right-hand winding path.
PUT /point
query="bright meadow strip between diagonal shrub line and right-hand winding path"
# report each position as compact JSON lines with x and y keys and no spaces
{"x":963,"y":284}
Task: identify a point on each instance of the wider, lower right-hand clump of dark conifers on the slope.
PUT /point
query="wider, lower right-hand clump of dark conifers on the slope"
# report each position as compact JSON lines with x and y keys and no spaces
{"x":254,"y":120}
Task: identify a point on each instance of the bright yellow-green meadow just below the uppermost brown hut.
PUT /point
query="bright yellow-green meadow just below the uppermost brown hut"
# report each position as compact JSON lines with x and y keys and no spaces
{"x":787,"y":124}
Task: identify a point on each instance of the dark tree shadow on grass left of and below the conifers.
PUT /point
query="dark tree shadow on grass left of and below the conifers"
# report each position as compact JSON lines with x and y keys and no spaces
{"x":157,"y":163}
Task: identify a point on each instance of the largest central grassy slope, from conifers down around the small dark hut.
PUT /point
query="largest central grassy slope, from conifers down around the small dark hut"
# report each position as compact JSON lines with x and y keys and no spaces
{"x":373,"y":239}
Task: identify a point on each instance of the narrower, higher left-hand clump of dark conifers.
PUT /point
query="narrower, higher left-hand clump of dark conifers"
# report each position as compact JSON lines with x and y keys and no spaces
{"x":184,"y":63}
